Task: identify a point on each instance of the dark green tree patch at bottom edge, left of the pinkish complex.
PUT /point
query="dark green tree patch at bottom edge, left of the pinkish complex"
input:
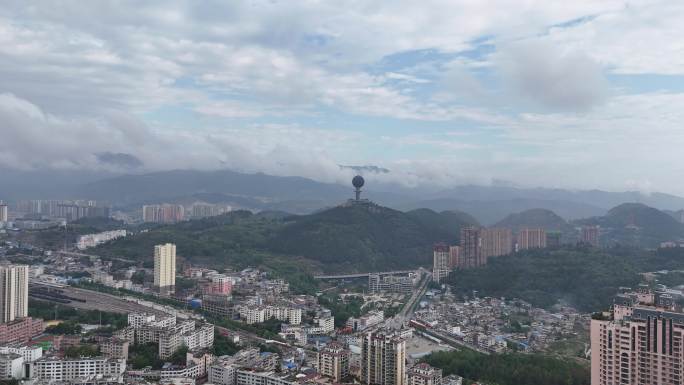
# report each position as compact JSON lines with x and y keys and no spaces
{"x":510,"y":369}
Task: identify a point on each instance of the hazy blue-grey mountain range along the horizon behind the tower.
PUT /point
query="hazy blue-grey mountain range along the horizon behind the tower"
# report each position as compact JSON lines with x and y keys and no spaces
{"x":488,"y":204}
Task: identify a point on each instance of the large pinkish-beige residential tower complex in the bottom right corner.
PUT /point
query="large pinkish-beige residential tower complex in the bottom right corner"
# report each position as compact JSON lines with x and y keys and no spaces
{"x":639,"y":341}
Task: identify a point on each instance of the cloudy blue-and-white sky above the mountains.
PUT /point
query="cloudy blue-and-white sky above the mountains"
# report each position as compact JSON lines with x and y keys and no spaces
{"x":571,"y":94}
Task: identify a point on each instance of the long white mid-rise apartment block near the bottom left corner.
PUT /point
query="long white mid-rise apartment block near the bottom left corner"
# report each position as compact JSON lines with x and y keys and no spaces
{"x":52,"y":368}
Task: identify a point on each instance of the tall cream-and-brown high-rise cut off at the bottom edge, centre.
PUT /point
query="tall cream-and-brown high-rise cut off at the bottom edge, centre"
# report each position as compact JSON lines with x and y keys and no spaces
{"x":383,"y":359}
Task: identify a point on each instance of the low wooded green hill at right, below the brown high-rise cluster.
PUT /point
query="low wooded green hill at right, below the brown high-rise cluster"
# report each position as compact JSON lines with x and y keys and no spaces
{"x":582,"y":277}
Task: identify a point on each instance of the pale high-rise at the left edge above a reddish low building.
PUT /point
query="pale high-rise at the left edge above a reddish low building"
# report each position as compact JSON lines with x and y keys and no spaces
{"x":13,"y":292}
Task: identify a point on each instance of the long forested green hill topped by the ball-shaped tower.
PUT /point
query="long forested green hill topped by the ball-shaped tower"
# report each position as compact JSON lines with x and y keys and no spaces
{"x":353,"y":238}
